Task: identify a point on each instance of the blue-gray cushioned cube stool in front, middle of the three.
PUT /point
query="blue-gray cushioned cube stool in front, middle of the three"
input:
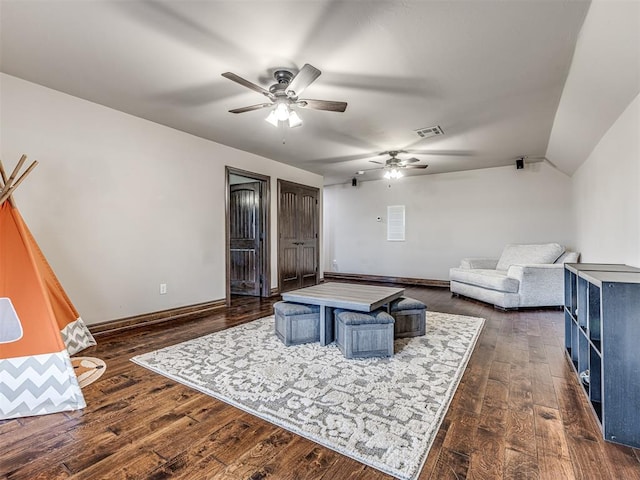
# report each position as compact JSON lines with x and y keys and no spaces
{"x":364,"y":334}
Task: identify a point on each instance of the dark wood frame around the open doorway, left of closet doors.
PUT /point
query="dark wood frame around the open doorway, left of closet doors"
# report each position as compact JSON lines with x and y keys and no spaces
{"x":264,"y":212}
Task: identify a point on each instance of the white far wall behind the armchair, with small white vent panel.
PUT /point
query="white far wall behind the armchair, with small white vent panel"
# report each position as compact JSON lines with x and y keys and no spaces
{"x":449,"y":216}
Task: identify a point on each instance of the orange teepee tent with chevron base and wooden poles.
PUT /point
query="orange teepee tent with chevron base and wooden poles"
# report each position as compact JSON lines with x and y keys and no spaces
{"x":39,"y":327}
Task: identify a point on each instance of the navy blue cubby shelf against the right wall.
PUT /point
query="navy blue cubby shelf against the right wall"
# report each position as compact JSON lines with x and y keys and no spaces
{"x":602,"y":331}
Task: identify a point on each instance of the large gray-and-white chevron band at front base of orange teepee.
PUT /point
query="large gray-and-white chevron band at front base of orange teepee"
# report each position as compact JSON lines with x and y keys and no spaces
{"x":38,"y":384}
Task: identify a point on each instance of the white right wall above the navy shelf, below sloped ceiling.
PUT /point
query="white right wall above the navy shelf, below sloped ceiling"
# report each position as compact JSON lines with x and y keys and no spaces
{"x":606,"y":194}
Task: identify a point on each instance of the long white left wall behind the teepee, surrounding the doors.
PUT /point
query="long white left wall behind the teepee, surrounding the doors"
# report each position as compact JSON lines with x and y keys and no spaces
{"x":119,"y":204}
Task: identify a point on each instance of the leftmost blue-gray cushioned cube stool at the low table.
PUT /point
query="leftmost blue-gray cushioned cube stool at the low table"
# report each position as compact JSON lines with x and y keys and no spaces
{"x":297,"y":323}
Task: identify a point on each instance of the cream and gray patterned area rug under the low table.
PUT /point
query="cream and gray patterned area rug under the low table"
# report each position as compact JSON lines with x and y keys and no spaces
{"x":383,"y":412}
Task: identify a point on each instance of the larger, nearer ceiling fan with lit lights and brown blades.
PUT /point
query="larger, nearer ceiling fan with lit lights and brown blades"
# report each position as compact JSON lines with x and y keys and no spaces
{"x":285,"y":94}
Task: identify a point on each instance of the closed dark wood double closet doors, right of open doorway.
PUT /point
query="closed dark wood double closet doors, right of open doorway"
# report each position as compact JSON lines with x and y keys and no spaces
{"x":298,"y":225}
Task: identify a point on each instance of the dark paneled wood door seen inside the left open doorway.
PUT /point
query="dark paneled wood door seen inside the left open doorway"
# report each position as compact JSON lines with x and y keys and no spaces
{"x":245,"y":242}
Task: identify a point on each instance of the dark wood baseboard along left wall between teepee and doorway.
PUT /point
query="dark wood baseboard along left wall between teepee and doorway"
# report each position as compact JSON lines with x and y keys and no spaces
{"x":180,"y":313}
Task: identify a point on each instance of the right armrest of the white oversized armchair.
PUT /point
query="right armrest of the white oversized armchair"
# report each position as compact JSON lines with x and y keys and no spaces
{"x":540,"y":284}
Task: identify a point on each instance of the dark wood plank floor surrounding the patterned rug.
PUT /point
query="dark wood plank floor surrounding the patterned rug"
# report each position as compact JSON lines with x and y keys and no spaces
{"x":519,"y":413}
